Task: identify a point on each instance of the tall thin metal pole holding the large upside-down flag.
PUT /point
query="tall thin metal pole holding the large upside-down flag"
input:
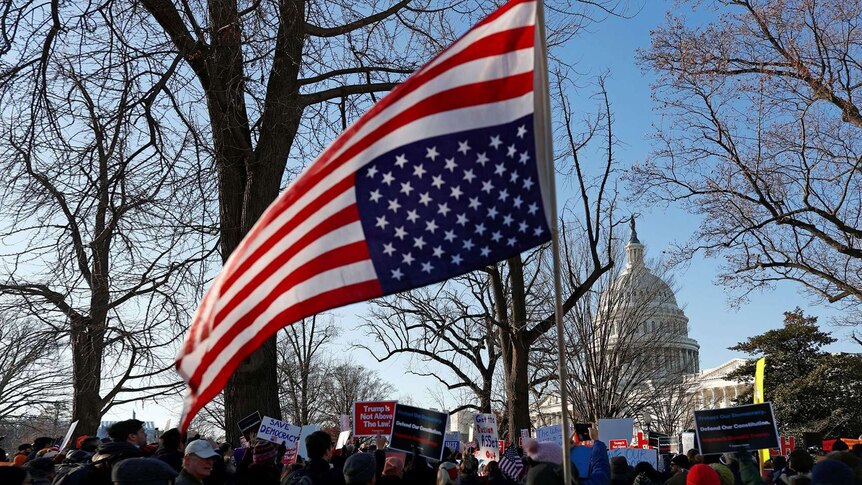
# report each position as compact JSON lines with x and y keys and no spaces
{"x":543,"y":111}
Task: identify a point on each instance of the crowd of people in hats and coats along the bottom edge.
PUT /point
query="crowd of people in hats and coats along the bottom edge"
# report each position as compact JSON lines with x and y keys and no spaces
{"x":127,"y":458}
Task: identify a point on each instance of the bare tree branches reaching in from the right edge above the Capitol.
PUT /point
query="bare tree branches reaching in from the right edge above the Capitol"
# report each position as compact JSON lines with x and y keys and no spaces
{"x":762,"y":142}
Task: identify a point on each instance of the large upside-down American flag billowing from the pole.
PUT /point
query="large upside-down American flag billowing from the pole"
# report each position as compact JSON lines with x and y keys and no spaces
{"x":442,"y":176}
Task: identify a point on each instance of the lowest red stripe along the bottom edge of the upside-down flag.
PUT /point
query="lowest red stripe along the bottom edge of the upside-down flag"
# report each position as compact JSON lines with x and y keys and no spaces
{"x":323,"y":301}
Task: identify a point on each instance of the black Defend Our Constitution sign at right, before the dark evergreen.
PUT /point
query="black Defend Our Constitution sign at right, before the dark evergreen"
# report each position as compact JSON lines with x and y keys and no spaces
{"x":740,"y":428}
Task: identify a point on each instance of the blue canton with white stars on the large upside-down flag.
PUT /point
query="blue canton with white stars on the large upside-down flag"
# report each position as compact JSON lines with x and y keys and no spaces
{"x":443,"y":206}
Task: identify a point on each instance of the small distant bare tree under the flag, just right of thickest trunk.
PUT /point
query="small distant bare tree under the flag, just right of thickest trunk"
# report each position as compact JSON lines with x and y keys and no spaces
{"x":303,"y":368}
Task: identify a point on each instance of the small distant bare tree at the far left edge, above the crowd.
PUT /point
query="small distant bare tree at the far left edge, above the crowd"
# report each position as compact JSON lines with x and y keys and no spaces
{"x":32,"y":374}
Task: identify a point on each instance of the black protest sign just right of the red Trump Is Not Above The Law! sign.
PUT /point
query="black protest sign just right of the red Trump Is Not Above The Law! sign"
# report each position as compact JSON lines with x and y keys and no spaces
{"x":423,"y":428}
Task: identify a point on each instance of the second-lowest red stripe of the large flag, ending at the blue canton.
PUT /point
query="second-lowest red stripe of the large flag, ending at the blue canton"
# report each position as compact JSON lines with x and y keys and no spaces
{"x":344,"y":255}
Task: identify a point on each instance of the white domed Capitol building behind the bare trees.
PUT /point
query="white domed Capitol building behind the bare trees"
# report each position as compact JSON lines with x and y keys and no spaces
{"x":641,"y":310}
